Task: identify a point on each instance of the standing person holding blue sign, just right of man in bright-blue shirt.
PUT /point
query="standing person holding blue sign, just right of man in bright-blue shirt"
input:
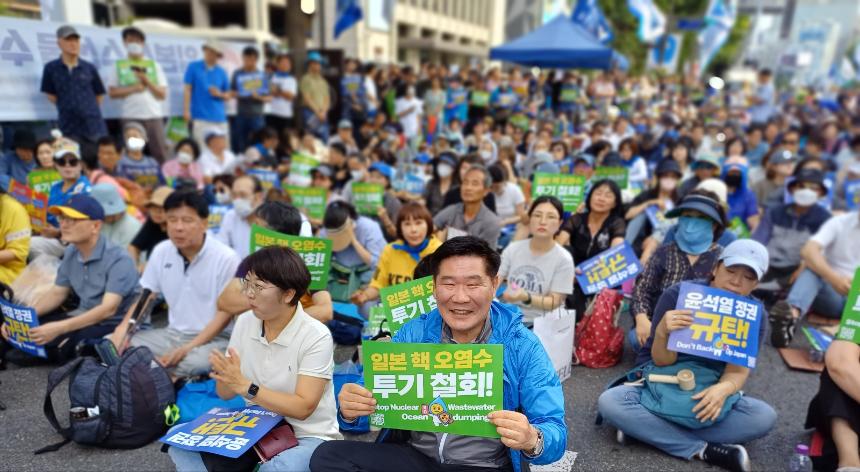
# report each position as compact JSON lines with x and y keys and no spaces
{"x":251,"y":89}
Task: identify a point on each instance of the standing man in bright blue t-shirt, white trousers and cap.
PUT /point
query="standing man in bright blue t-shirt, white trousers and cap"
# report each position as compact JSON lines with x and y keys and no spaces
{"x":206,"y":89}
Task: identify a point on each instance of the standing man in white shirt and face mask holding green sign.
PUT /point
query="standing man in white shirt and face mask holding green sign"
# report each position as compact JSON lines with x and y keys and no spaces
{"x":141,"y":100}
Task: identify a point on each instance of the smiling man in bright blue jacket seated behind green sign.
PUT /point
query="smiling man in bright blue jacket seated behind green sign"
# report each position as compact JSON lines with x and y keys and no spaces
{"x":531,"y":426}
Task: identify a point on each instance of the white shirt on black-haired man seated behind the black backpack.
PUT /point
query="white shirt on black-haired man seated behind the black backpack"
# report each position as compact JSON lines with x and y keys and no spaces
{"x":191,"y":293}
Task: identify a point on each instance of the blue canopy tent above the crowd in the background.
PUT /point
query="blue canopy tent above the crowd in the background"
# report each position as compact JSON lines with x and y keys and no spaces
{"x":561,"y":43}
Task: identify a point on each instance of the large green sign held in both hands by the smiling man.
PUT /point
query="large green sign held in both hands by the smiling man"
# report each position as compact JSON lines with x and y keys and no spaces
{"x":446,"y":388}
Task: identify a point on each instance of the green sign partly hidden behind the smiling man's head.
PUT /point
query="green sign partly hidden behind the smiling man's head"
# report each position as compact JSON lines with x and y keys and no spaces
{"x":405,"y":301}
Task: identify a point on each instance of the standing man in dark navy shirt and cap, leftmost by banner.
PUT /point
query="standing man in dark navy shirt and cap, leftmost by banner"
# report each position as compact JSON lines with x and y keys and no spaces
{"x":75,"y":87}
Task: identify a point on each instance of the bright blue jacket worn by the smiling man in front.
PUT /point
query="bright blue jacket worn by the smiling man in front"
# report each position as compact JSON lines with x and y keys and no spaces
{"x":531,"y":384}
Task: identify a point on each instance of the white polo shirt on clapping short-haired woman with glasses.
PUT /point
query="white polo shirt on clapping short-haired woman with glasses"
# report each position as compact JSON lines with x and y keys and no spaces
{"x":304,"y":347}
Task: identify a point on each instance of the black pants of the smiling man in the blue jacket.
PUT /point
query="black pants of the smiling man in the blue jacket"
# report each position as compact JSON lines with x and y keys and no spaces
{"x":359,"y":456}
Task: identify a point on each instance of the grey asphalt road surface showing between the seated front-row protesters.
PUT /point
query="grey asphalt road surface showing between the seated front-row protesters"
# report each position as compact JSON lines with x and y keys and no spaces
{"x":25,"y":429}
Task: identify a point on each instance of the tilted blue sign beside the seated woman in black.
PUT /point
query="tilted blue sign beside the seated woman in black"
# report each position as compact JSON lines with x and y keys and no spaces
{"x":610,"y":268}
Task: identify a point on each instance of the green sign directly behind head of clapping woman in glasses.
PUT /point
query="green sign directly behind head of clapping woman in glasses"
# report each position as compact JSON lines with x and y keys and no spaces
{"x":316,"y":252}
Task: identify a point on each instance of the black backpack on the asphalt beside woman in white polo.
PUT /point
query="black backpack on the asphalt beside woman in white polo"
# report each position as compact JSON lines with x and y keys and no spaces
{"x":131,"y":397}
